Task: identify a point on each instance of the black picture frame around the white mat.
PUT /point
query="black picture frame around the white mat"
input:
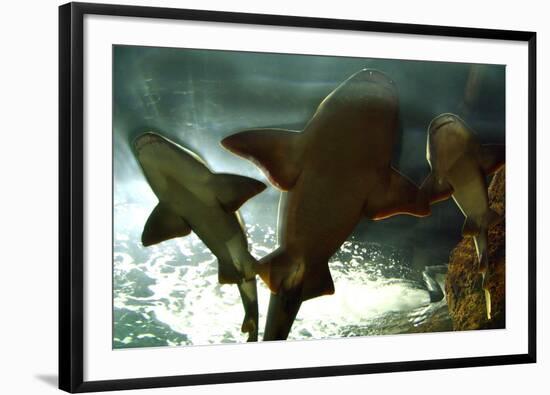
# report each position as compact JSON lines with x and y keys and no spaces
{"x":71,"y":196}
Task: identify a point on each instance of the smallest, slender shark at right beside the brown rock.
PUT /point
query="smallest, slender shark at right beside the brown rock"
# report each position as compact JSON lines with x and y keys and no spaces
{"x":459,"y":168}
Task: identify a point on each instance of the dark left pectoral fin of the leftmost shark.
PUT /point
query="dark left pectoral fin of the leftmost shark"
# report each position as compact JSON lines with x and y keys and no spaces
{"x":163,"y":224}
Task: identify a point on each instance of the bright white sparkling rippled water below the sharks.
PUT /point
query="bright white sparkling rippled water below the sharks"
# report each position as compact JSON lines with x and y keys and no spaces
{"x":169,"y":294}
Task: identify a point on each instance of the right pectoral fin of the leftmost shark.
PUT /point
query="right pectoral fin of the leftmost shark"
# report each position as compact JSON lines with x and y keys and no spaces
{"x":233,"y":190}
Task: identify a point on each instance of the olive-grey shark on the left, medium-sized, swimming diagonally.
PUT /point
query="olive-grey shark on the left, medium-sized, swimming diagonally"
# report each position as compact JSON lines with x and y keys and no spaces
{"x":193,"y":198}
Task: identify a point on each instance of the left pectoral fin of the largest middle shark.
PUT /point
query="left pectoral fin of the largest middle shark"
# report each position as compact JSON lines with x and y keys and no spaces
{"x":275,"y":151}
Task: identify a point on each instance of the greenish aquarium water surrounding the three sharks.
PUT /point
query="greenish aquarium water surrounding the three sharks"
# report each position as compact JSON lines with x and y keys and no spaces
{"x":168,"y":294}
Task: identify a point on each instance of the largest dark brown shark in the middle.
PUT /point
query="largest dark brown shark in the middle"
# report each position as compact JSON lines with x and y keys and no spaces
{"x":336,"y":171}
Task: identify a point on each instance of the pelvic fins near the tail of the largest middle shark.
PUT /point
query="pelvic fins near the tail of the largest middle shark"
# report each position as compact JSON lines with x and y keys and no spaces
{"x":281,"y":273}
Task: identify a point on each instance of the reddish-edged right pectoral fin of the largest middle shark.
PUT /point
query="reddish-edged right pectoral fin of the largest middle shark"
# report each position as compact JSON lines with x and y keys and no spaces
{"x":401,"y":196}
